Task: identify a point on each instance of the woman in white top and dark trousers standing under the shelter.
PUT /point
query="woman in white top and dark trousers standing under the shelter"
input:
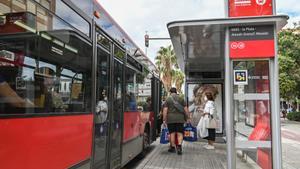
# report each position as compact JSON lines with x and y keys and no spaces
{"x":210,"y":113}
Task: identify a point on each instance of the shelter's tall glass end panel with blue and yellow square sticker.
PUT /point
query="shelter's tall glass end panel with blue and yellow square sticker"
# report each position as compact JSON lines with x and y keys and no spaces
{"x":252,"y":112}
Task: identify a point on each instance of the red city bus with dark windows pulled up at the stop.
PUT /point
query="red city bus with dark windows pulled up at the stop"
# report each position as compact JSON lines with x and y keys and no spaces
{"x":72,"y":94}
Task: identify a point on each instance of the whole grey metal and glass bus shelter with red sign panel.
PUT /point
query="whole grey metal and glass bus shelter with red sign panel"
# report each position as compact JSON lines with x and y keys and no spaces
{"x":236,"y":60}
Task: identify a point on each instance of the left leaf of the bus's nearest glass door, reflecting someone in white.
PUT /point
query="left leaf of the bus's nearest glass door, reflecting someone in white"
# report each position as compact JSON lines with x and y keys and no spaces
{"x":102,"y":107}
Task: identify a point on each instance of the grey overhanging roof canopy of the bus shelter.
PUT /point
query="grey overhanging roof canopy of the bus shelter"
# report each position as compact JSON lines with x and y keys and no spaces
{"x":200,"y":44}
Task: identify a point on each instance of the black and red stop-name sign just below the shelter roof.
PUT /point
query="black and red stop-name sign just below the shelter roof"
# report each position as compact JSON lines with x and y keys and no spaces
{"x":251,"y":42}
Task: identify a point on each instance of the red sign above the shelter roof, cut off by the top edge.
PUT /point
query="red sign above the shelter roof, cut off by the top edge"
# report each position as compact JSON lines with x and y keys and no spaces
{"x":239,"y":8}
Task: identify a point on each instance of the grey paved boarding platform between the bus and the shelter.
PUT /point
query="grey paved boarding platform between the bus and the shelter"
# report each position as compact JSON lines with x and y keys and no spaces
{"x":194,"y":157}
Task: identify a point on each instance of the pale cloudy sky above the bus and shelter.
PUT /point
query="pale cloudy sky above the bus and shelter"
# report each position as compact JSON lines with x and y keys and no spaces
{"x":138,"y":16}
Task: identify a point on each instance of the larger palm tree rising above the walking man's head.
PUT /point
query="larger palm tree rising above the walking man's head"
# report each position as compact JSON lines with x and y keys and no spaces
{"x":166,"y":62}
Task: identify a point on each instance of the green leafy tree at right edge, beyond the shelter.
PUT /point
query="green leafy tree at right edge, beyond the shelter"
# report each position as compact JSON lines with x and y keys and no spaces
{"x":289,"y":60}
